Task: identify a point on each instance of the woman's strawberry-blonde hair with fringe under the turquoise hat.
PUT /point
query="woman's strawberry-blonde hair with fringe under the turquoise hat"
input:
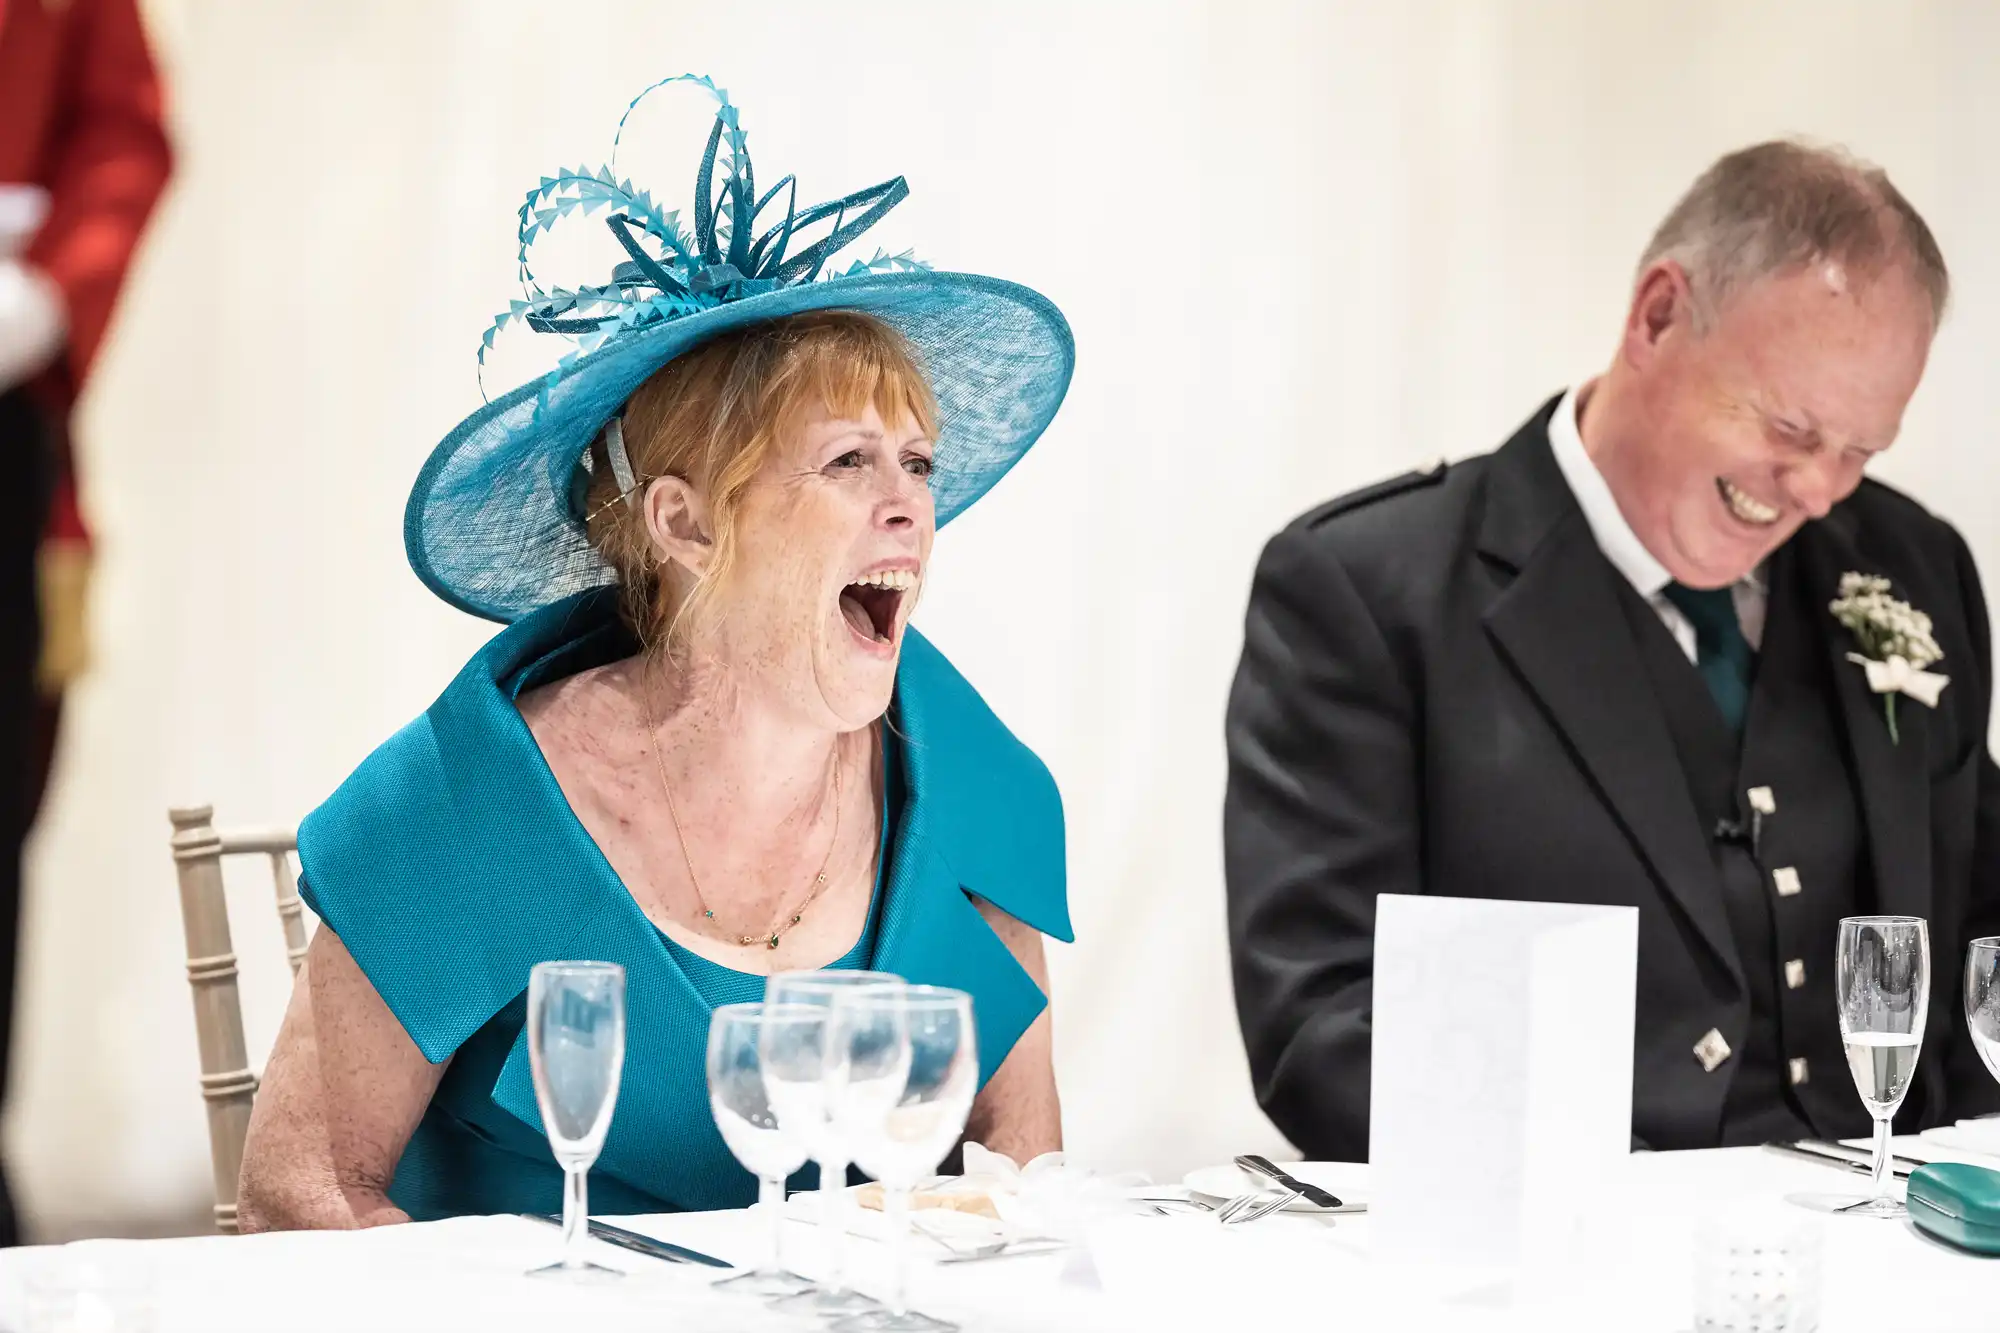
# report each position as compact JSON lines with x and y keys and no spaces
{"x":713,"y":419}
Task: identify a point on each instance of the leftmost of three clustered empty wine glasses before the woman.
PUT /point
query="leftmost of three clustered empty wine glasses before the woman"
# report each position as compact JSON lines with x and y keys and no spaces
{"x":741,"y":1038}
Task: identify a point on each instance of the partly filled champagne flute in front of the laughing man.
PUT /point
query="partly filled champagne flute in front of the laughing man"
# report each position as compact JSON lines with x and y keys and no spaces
{"x":1883,"y":984}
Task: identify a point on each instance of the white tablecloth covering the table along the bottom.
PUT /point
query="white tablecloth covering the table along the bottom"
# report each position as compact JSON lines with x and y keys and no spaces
{"x":1139,"y":1274}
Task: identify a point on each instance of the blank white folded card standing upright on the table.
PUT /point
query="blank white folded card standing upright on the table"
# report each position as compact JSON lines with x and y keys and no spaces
{"x":1501,"y":1102}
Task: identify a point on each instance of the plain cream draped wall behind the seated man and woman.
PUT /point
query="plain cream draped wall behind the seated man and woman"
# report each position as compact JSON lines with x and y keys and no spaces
{"x":1303,"y":245}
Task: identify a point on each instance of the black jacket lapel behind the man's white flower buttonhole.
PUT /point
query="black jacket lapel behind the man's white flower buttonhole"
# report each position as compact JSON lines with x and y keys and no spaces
{"x":1891,"y":776}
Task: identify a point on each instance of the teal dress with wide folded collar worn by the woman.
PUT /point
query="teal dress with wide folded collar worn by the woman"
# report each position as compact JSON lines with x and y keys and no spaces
{"x":451,"y":864}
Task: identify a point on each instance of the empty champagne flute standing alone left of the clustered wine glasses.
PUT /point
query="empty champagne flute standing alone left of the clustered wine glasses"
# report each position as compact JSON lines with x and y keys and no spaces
{"x":577,"y":1050}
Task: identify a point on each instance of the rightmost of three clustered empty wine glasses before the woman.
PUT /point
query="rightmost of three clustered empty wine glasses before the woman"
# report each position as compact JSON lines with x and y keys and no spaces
{"x":905,"y":1118}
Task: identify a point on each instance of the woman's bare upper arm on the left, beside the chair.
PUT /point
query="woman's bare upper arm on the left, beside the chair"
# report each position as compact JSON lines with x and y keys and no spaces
{"x":343,"y":1094}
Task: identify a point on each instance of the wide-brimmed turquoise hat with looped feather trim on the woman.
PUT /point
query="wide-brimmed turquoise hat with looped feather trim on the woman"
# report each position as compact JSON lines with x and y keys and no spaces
{"x":495,"y":523}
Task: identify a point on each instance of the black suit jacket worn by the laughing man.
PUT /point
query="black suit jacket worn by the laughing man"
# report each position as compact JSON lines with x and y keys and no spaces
{"x":1437,"y":696}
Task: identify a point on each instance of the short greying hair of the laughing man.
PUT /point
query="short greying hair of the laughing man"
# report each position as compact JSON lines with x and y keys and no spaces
{"x":1777,"y":207}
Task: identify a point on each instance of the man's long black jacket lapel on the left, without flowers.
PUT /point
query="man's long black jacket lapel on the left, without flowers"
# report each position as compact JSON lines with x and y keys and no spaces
{"x":1561,"y":625}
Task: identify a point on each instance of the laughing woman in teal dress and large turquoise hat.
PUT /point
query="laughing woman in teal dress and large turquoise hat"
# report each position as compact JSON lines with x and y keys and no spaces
{"x":707,"y":746}
